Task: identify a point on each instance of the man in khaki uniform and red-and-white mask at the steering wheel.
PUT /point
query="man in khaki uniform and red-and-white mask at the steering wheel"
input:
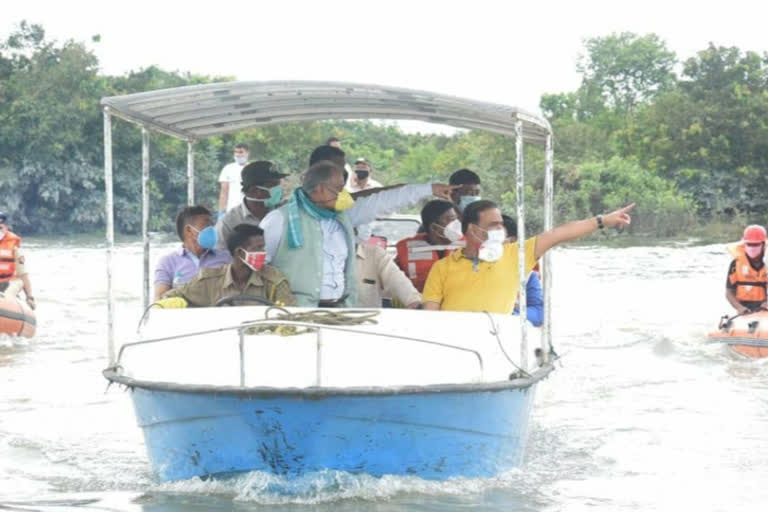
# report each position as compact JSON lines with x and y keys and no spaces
{"x":246,"y":275}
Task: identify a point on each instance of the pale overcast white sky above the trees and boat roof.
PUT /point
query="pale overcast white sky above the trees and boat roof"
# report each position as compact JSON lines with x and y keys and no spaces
{"x":505,"y":52}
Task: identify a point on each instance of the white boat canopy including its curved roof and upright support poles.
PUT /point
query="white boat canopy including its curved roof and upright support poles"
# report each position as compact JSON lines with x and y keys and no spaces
{"x":199,"y":111}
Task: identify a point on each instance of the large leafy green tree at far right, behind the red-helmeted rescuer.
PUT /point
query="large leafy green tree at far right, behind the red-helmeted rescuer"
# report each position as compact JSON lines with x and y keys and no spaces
{"x":710,"y":134}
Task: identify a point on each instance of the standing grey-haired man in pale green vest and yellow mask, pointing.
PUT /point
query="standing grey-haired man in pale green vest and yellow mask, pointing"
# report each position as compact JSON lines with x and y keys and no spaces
{"x":311,"y":240}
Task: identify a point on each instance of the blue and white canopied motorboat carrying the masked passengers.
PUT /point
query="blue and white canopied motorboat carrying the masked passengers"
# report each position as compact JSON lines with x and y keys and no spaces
{"x":221,"y":391}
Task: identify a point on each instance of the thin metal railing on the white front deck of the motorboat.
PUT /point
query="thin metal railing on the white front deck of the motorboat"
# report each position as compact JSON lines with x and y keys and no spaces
{"x":317,"y":328}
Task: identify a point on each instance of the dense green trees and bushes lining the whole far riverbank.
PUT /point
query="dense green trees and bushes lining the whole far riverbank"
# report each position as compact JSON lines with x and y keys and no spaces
{"x":688,"y":141}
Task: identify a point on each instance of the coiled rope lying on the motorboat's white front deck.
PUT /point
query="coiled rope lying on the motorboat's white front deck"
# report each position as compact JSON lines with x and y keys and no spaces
{"x":339,"y":317}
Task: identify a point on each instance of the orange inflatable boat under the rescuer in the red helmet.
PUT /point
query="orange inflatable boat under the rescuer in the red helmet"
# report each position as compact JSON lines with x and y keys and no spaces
{"x":745,"y":334}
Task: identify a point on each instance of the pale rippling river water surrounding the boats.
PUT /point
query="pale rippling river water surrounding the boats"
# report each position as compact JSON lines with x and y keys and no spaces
{"x":641,"y":414}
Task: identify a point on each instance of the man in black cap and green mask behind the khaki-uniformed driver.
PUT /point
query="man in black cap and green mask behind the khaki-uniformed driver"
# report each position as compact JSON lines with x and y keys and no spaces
{"x":262,"y":193}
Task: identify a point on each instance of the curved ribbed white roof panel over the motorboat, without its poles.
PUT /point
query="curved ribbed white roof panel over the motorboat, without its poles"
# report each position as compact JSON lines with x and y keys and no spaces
{"x":199,"y":111}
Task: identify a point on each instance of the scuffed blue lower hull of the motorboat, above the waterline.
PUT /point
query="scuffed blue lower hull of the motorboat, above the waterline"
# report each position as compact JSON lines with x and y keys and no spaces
{"x":435,"y":435}
